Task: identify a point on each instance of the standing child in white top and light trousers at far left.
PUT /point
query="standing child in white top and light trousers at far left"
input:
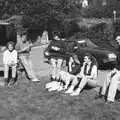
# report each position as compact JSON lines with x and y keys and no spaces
{"x":10,"y":61}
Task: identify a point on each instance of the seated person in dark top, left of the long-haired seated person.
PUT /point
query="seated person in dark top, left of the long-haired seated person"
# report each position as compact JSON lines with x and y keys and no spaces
{"x":65,"y":77}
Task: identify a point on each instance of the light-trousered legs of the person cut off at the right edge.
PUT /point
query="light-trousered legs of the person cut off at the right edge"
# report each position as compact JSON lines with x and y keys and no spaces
{"x":110,"y":85}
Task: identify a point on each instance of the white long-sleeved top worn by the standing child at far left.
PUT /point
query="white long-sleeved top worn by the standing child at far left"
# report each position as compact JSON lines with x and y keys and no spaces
{"x":9,"y":57}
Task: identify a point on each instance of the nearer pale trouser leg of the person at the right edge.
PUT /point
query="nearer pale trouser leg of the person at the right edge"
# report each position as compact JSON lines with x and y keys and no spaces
{"x":113,"y":87}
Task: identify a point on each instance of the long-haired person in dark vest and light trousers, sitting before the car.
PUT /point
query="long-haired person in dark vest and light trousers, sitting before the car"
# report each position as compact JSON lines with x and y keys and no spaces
{"x":87,"y":76}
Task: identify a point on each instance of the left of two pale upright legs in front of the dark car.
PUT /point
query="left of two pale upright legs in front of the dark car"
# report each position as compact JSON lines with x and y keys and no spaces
{"x":54,"y":68}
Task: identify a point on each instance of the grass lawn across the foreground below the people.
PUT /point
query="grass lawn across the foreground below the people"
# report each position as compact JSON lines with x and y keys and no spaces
{"x":31,"y":101}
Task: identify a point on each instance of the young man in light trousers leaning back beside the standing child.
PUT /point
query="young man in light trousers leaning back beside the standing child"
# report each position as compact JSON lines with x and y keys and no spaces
{"x":24,"y":47}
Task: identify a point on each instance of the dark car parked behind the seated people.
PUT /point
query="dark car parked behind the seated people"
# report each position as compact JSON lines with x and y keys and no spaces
{"x":104,"y":56}
